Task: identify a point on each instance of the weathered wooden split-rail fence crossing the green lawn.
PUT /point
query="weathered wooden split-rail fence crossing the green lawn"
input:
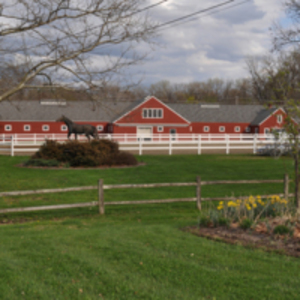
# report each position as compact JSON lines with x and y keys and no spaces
{"x":101,"y":187}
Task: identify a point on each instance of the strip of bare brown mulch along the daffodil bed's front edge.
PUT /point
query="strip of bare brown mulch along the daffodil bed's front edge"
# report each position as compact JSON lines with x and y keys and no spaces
{"x":275,"y":243}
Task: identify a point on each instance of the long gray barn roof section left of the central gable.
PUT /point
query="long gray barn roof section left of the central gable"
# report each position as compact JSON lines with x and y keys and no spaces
{"x":75,"y":110}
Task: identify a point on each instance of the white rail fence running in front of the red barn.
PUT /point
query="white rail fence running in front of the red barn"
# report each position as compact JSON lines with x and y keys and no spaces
{"x":156,"y":143}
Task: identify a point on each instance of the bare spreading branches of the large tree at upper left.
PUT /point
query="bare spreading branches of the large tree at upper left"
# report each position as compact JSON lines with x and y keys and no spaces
{"x":69,"y":42}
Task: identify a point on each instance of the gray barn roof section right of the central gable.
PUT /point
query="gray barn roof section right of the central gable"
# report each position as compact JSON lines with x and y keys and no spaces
{"x":217,"y":113}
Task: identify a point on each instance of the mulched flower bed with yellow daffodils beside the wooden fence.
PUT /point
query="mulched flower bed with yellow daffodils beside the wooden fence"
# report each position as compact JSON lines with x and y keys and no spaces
{"x":272,"y":224}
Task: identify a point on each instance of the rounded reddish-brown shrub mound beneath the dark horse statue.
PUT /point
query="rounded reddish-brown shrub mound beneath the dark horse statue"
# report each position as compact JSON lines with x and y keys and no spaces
{"x":88,"y":154}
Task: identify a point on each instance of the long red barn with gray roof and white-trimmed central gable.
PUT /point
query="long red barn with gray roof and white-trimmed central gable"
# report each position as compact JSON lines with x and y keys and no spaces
{"x":148,"y":116}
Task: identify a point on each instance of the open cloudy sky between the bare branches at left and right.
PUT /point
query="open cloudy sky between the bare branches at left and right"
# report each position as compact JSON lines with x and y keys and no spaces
{"x":214,"y":45}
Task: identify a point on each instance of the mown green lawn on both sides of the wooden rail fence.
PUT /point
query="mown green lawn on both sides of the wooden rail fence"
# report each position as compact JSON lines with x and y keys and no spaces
{"x":136,"y":252}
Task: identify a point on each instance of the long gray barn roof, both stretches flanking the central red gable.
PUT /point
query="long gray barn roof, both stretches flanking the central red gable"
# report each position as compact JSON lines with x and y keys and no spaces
{"x":108,"y":111}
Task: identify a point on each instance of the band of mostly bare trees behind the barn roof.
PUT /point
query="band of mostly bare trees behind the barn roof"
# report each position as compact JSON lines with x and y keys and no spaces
{"x":273,"y":78}
